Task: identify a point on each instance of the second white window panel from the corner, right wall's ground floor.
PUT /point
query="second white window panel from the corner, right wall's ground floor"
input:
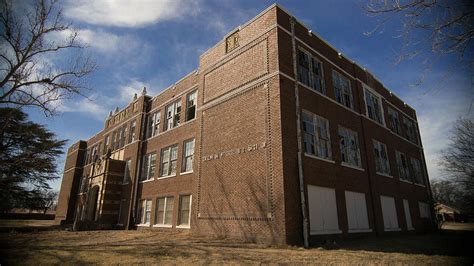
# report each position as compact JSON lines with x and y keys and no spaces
{"x":356,"y":206}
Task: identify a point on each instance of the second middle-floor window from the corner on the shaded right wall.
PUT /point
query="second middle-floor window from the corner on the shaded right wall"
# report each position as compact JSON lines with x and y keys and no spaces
{"x":349,"y":145}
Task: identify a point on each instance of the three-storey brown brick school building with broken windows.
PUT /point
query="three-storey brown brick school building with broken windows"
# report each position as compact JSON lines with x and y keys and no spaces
{"x":275,"y":137}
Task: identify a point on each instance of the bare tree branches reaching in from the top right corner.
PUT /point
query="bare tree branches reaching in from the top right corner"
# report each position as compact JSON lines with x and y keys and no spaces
{"x":430,"y":27}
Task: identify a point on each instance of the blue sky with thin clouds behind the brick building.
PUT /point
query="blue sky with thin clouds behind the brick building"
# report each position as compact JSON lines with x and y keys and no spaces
{"x":155,"y":43}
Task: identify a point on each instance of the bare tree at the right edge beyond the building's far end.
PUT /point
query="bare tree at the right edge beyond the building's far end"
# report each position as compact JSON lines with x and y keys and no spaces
{"x":458,"y":162}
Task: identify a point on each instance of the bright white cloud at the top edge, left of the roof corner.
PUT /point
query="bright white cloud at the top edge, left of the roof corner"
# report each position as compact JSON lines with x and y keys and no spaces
{"x":127,"y":13}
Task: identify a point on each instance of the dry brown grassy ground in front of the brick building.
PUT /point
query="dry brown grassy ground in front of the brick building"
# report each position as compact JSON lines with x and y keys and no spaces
{"x":150,"y":246}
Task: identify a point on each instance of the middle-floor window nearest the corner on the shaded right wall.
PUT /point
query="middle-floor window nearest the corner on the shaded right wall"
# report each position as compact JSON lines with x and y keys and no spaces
{"x":316,"y":136}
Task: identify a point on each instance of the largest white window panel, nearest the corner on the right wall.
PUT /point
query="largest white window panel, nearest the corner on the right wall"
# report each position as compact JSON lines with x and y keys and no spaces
{"x":323,"y":216}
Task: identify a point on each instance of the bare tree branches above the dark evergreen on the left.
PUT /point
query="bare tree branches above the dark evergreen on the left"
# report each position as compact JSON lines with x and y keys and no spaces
{"x":31,"y":38}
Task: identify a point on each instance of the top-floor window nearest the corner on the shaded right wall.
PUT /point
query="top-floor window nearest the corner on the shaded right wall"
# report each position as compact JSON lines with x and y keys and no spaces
{"x":310,"y":71}
